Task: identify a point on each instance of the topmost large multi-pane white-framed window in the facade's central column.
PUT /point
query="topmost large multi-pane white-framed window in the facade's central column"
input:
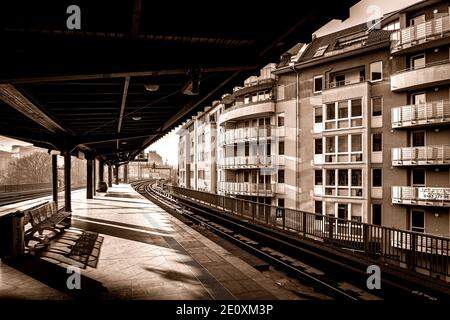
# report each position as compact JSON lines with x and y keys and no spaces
{"x":343,"y":114}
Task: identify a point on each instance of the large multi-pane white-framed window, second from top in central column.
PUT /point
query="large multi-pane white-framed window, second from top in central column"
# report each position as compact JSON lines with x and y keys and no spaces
{"x":343,"y":148}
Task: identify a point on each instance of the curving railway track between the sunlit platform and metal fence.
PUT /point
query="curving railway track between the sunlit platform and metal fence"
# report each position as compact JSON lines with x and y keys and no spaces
{"x":254,"y":243}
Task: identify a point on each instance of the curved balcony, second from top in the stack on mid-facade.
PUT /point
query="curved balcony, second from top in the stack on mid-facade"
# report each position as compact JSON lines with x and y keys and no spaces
{"x":231,"y":136}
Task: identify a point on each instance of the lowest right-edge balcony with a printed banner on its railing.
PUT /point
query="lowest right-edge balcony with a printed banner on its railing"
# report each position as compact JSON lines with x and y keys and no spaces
{"x":421,"y":196}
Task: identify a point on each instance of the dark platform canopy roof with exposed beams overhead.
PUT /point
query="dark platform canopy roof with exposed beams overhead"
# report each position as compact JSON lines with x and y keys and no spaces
{"x":111,"y":78}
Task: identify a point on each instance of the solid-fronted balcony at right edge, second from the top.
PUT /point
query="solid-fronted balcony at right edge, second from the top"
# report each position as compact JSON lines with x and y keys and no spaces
{"x":432,"y":74}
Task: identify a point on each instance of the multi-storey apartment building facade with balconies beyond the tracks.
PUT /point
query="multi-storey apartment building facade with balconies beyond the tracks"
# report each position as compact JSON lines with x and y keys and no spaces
{"x":355,"y":124}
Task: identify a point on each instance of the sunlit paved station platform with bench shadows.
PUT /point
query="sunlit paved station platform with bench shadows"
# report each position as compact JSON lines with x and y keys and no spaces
{"x":129,"y":248}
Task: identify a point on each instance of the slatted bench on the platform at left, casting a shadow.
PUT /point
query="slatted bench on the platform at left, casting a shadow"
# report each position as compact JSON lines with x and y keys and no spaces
{"x":43,"y":217}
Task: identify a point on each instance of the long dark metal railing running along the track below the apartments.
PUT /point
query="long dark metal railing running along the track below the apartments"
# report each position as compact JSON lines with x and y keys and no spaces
{"x":415,"y":251}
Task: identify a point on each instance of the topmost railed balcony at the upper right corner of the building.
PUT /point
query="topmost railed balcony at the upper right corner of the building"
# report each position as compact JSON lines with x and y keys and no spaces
{"x":420,"y":34}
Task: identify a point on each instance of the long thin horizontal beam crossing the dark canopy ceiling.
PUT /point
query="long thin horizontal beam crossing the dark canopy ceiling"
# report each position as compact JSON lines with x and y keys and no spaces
{"x":98,"y":76}
